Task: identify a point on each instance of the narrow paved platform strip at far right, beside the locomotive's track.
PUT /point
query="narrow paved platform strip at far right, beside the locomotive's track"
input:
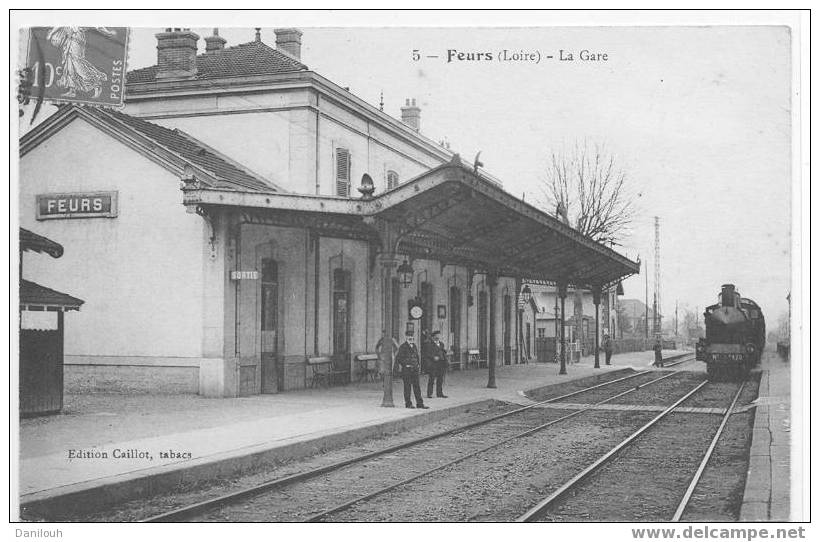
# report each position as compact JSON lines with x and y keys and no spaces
{"x":767,"y":493}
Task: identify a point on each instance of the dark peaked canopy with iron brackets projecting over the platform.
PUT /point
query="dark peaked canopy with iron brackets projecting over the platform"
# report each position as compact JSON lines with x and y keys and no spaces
{"x":450,"y":213}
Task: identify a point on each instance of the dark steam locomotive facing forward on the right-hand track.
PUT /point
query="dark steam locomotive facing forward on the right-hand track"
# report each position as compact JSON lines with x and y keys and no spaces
{"x":735,"y":336}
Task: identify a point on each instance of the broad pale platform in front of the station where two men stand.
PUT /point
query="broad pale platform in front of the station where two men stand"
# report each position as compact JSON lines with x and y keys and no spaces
{"x":107,"y":447}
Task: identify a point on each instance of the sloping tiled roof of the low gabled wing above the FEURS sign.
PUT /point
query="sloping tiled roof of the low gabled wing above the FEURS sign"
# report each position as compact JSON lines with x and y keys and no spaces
{"x":211,"y":166}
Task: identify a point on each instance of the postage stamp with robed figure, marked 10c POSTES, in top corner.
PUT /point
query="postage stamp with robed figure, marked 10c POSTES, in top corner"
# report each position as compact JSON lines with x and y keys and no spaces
{"x":78,"y":64}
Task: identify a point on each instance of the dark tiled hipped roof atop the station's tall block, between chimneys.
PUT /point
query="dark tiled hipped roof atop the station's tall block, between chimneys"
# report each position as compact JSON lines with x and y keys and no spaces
{"x":245,"y":59}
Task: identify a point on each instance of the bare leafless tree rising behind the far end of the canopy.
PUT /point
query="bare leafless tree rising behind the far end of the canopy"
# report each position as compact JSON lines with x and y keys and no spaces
{"x":589,"y":191}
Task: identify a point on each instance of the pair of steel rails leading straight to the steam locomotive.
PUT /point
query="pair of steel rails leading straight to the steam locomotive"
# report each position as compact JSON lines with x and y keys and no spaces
{"x":572,"y":488}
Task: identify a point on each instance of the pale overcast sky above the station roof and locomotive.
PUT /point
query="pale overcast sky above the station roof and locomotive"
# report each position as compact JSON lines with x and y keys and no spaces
{"x":699,"y":117}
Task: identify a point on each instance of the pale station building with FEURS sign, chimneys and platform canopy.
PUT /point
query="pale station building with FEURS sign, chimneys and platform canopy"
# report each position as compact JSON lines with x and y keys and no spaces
{"x":244,"y":215}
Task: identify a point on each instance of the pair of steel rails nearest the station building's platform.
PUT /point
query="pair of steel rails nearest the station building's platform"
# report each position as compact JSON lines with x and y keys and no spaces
{"x":511,"y":430}
